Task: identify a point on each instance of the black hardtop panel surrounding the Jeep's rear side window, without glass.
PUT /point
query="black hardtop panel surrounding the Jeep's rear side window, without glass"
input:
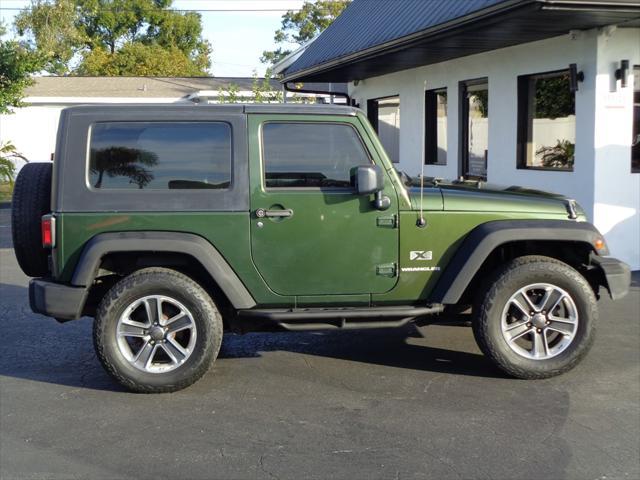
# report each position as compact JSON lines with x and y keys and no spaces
{"x":71,"y":194}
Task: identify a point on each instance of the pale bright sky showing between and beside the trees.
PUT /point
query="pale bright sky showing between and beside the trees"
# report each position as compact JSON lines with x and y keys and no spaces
{"x":238,"y":32}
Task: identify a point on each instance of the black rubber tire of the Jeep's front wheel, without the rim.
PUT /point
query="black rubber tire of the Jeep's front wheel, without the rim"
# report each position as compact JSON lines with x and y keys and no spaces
{"x":506,"y":281}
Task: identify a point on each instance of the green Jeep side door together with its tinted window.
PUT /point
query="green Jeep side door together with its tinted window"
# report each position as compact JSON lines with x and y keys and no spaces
{"x":311,"y":232}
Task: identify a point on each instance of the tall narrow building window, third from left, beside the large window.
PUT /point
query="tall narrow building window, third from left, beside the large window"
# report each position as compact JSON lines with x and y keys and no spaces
{"x":474,"y":128}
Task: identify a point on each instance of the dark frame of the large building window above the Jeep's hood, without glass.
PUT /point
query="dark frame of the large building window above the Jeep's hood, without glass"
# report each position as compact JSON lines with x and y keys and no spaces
{"x":522,"y":124}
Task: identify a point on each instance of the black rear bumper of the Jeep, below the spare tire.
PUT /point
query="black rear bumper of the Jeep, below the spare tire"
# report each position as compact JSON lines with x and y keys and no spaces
{"x":56,"y":300}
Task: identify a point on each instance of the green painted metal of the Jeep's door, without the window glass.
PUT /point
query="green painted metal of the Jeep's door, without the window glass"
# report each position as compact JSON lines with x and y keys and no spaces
{"x":333,"y":242}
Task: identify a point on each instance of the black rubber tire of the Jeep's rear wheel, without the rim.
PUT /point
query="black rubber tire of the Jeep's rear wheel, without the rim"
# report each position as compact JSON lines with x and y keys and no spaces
{"x":157,"y":281}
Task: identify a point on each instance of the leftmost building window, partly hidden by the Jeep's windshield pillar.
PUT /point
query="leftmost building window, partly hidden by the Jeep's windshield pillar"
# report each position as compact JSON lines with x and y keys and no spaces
{"x":384,"y":115}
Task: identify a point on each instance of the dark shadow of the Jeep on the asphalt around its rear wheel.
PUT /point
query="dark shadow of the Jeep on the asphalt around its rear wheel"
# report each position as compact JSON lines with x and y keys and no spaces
{"x":65,"y":355}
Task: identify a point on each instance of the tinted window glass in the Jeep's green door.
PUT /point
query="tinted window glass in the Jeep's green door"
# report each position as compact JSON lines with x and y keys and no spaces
{"x":311,"y":154}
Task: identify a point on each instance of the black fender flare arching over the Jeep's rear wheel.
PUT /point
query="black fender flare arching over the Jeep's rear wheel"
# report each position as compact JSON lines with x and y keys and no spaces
{"x":144,"y":241}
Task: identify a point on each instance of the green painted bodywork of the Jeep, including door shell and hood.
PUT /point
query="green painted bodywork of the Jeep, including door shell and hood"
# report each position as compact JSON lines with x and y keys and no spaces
{"x":335,"y":248}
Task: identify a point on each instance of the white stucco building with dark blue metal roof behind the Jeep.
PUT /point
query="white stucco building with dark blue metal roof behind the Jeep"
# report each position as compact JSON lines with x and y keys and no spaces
{"x":538,"y":93}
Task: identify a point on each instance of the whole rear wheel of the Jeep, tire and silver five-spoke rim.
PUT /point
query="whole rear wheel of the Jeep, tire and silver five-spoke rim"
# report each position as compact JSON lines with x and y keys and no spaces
{"x":157,"y":331}
